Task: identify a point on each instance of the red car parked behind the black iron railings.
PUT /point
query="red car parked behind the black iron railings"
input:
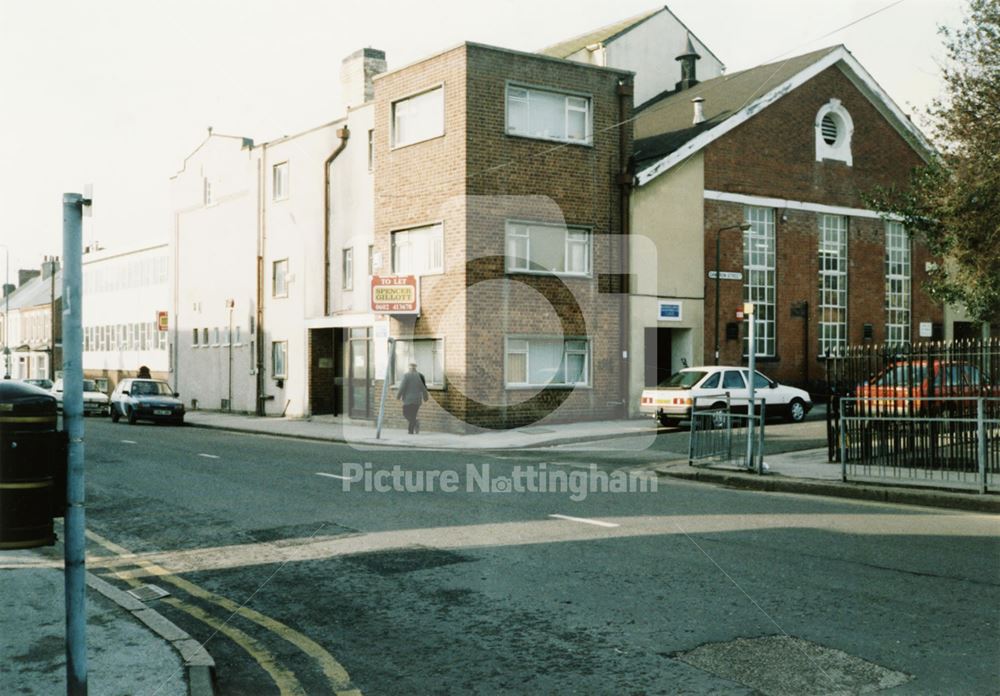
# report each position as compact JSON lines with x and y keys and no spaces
{"x":924,"y":386}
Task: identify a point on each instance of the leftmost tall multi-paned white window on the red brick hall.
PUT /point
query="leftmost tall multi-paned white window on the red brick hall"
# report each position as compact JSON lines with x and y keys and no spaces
{"x":759,"y":274}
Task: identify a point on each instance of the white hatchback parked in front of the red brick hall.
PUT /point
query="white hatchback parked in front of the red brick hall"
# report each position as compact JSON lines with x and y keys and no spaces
{"x":706,"y":387}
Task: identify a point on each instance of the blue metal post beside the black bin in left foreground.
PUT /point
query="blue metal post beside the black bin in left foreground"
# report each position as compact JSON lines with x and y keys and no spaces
{"x":75,"y":542}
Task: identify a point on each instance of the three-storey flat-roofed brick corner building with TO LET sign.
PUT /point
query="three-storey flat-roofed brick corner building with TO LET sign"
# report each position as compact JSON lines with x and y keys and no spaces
{"x":497,"y":182}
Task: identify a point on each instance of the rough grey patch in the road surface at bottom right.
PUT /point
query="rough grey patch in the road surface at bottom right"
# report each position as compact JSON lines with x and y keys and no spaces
{"x":783,"y":665}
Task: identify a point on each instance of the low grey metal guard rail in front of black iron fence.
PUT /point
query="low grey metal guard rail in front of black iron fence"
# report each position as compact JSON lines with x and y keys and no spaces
{"x":950,"y":442}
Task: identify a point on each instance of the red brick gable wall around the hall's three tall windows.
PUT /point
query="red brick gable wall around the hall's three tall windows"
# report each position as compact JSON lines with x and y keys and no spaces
{"x":773,"y":155}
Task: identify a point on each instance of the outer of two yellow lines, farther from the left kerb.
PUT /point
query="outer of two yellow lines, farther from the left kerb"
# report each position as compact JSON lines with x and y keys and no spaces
{"x":335,"y":673}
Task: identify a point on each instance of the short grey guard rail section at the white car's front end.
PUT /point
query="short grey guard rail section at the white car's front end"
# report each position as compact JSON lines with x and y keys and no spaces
{"x":719,"y":436}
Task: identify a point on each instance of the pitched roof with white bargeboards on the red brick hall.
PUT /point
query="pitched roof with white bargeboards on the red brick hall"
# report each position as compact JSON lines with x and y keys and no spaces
{"x":665,"y":134}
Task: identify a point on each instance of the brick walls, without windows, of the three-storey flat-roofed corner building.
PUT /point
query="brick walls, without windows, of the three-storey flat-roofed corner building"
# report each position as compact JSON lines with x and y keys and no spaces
{"x":473,"y":179}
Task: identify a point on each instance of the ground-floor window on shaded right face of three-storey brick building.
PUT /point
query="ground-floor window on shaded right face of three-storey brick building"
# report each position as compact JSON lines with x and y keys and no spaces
{"x":540,"y":362}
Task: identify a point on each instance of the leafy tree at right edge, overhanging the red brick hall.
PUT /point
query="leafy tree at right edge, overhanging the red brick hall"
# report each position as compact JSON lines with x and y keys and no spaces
{"x":953,"y":203}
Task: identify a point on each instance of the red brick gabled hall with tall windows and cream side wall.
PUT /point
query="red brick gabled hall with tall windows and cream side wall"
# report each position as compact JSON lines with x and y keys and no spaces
{"x":789,"y":151}
